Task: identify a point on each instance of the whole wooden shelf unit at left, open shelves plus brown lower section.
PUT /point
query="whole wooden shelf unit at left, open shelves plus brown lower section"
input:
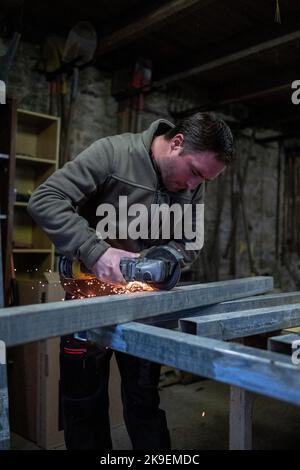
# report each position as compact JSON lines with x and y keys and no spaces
{"x":34,"y":393}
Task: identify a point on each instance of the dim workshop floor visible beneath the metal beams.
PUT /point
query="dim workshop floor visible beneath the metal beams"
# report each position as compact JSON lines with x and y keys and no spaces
{"x":198,"y":419}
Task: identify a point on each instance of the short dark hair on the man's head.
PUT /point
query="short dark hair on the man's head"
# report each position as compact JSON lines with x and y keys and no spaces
{"x":203,"y":131}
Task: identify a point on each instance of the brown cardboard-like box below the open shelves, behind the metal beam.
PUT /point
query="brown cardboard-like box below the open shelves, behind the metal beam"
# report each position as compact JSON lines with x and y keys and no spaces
{"x":33,"y":373}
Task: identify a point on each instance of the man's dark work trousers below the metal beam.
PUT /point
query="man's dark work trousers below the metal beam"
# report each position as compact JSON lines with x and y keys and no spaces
{"x":84,"y":369}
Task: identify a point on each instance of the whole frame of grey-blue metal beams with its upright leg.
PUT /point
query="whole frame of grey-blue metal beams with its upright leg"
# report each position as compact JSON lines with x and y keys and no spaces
{"x":211,"y":306}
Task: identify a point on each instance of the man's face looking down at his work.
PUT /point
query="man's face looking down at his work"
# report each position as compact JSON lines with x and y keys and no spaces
{"x":189,"y":170}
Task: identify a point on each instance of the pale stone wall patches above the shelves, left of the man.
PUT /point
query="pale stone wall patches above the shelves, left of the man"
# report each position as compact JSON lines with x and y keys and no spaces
{"x":95,"y":109}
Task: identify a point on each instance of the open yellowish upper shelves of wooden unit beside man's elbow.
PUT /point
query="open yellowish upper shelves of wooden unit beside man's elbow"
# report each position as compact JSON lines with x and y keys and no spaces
{"x":37,"y":157}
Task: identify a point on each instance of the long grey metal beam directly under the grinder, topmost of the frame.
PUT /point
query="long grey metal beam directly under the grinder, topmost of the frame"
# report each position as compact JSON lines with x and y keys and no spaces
{"x":34,"y":322}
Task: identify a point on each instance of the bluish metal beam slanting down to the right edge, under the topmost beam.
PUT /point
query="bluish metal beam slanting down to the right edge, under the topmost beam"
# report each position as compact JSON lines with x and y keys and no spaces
{"x":256,"y":370}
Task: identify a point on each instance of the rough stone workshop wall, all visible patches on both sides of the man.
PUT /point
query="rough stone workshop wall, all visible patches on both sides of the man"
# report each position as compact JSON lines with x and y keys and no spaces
{"x":95,"y":116}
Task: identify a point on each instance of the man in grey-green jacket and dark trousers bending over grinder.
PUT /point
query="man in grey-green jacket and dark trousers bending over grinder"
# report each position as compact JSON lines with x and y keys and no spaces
{"x":164,"y":164}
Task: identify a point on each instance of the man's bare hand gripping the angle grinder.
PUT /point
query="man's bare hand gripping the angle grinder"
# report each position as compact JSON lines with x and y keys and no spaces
{"x":107,"y":268}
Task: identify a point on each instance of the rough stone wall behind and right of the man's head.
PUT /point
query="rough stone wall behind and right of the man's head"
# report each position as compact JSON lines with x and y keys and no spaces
{"x":260,"y":207}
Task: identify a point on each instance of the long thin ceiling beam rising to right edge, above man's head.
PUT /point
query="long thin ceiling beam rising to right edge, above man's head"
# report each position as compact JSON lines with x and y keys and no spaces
{"x":230,"y":59}
